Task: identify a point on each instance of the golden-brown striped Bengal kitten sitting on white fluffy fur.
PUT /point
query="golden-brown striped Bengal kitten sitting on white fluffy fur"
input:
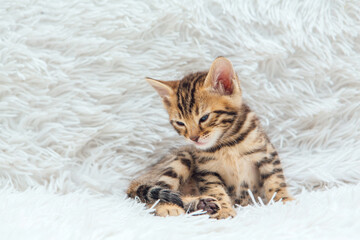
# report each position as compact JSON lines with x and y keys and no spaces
{"x":229,"y":154}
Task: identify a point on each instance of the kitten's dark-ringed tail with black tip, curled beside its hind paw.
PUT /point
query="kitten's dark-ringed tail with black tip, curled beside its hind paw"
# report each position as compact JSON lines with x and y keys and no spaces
{"x":151,"y":194}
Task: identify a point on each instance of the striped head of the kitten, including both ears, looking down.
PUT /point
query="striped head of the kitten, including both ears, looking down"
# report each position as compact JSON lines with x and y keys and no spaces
{"x":203,"y":106}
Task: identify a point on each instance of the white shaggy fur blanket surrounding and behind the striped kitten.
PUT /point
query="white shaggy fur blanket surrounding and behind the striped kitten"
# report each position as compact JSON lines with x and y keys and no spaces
{"x":77,"y":119}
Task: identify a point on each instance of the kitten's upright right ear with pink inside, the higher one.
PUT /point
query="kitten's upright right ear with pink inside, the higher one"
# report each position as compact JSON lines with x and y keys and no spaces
{"x":222,"y":77}
